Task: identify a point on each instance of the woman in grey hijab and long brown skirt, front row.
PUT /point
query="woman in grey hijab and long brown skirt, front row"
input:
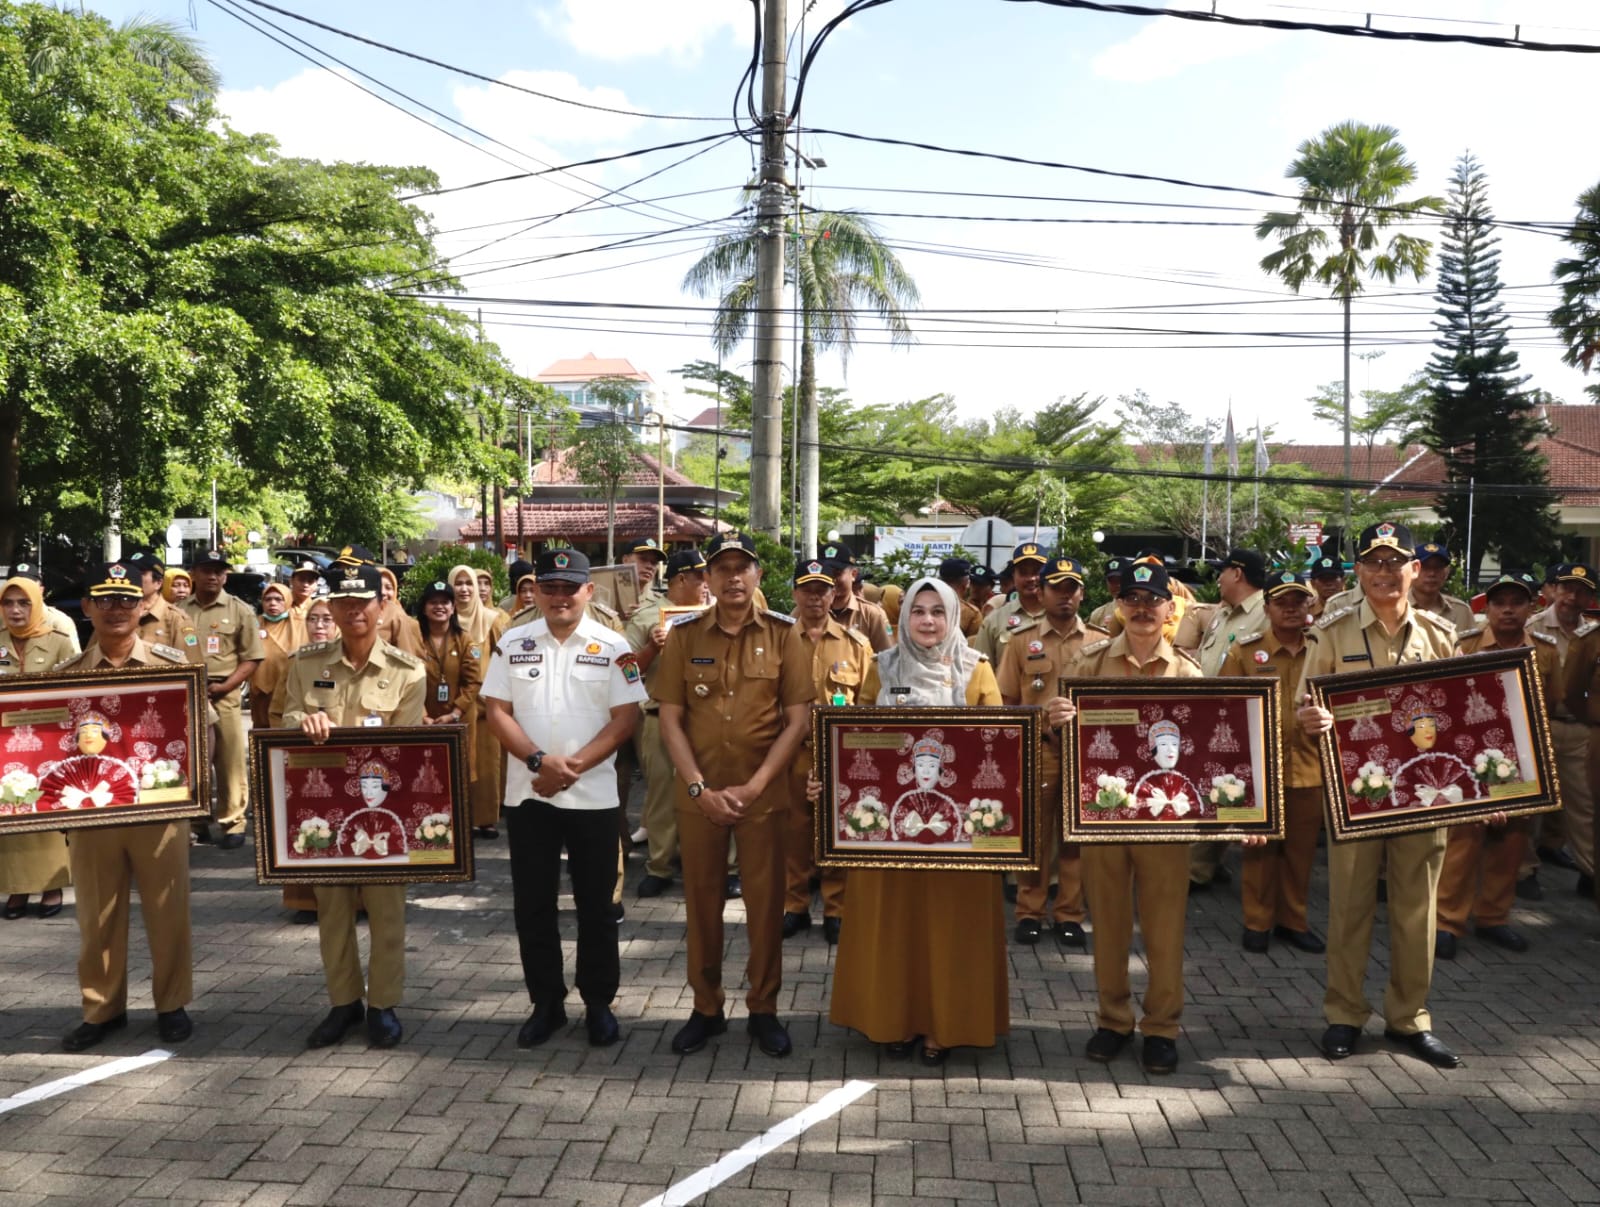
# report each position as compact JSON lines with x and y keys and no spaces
{"x":924,"y":958}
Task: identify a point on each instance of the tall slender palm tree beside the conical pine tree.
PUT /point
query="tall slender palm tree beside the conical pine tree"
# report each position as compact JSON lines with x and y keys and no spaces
{"x":1351,"y":180}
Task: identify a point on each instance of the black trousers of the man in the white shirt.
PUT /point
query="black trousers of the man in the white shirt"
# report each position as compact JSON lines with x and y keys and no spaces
{"x":537,"y":833}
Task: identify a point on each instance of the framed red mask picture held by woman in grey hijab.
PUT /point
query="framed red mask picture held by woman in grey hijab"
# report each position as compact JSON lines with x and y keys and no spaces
{"x":927,"y":788}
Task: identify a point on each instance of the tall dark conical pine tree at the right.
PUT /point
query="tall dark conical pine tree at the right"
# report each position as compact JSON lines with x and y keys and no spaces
{"x":1481,"y":419}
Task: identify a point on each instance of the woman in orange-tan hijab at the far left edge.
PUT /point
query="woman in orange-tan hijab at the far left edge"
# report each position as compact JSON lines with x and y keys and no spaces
{"x":31,"y":864}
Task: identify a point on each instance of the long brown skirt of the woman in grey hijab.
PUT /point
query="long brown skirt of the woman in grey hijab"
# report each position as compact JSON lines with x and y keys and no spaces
{"x":924,"y":953}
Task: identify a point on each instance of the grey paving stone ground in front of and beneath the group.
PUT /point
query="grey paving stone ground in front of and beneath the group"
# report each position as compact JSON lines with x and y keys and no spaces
{"x":457,"y":1115}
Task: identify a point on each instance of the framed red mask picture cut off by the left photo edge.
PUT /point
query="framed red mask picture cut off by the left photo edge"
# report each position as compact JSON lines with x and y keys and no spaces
{"x":105,"y":748}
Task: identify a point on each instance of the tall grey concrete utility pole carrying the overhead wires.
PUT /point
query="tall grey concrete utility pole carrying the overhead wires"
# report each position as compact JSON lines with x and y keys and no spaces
{"x":767,"y":420}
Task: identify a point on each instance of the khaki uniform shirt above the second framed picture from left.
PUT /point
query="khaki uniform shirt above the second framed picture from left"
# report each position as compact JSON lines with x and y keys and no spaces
{"x":386,"y":692}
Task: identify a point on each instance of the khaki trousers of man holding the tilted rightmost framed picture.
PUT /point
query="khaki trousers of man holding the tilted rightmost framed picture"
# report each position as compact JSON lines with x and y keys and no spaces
{"x":1414,"y":868}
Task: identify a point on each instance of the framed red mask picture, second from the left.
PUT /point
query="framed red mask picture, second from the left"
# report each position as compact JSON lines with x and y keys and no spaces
{"x":364,"y":808}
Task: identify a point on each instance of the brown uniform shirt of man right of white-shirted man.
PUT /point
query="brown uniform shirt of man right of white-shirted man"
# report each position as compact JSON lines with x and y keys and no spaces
{"x":734,"y":689}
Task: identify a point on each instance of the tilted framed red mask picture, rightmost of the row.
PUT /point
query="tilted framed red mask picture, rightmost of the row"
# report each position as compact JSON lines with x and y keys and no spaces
{"x":1436,"y":745}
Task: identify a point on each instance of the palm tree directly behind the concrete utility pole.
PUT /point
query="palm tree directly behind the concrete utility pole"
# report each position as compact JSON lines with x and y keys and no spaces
{"x":844,"y":270}
